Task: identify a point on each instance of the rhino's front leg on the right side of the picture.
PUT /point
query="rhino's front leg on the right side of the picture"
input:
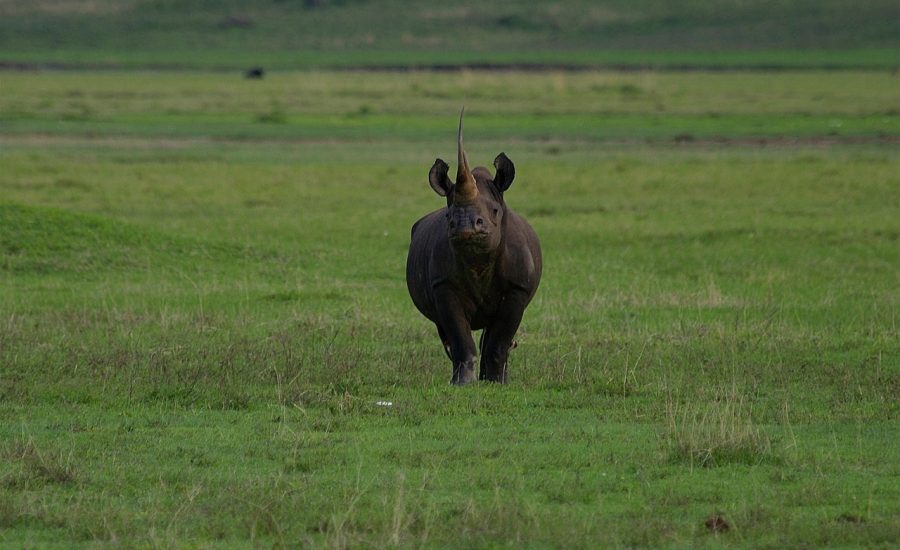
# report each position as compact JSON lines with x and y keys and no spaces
{"x":498,"y":337}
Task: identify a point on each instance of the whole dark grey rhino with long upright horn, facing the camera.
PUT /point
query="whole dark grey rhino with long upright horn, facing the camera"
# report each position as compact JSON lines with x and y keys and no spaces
{"x":474,"y":265}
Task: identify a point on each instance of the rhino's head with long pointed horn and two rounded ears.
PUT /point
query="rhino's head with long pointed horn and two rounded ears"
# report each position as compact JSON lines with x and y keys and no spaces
{"x":475,"y":206}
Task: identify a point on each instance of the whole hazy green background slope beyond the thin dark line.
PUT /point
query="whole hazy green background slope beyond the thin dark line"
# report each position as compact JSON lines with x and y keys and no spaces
{"x":290,"y":34}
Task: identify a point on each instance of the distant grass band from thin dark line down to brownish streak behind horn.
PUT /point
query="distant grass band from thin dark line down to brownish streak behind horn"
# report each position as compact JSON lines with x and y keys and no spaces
{"x":590,"y":106}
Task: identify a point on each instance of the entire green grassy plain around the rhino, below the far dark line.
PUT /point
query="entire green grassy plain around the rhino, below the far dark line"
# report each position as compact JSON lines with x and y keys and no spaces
{"x":202,"y":304}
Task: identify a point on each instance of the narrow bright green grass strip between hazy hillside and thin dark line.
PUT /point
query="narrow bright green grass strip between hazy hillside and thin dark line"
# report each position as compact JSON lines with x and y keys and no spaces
{"x":234,"y":60}
